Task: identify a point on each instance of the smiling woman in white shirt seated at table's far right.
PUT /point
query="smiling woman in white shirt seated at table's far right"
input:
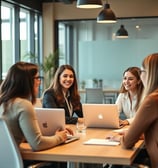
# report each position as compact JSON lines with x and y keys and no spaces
{"x":130,"y":94}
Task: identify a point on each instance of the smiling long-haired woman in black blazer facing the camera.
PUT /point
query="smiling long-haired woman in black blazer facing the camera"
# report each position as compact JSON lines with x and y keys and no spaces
{"x":63,"y":93}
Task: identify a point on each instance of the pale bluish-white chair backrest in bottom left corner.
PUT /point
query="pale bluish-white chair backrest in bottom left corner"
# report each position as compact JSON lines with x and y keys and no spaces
{"x":9,"y":152}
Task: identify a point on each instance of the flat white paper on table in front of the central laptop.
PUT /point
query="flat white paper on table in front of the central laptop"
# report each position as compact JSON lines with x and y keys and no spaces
{"x":101,"y":142}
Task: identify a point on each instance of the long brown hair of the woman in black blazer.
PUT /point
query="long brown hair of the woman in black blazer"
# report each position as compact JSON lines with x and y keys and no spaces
{"x":56,"y":86}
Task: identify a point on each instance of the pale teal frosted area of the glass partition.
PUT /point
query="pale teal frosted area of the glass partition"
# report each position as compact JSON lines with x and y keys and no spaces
{"x":107,"y":60}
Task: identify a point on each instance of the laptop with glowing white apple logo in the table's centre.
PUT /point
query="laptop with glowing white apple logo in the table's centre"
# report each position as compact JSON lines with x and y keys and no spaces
{"x":101,"y":115}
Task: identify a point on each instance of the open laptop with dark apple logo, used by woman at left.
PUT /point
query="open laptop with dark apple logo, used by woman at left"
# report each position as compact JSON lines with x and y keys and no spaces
{"x":51,"y":119}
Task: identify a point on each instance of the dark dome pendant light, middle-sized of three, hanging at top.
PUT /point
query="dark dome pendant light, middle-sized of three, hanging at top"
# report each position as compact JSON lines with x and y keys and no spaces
{"x":106,"y":15}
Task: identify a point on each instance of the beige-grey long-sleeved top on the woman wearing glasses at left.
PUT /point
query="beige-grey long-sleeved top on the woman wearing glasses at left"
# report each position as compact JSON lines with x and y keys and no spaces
{"x":21,"y":118}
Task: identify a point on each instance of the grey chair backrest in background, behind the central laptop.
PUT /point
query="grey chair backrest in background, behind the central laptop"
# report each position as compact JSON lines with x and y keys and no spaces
{"x":94,"y":95}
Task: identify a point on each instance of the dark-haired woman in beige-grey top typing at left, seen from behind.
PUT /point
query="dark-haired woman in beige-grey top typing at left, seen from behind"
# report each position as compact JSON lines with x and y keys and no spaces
{"x":17,"y":96}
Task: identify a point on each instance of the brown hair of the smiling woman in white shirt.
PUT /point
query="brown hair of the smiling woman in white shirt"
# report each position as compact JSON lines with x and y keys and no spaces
{"x":136,"y":72}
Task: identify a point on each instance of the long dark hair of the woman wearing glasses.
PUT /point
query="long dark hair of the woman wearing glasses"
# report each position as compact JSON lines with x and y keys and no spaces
{"x":19,"y":82}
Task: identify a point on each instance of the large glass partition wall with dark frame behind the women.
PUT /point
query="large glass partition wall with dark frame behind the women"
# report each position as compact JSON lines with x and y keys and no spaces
{"x":98,"y":56}
